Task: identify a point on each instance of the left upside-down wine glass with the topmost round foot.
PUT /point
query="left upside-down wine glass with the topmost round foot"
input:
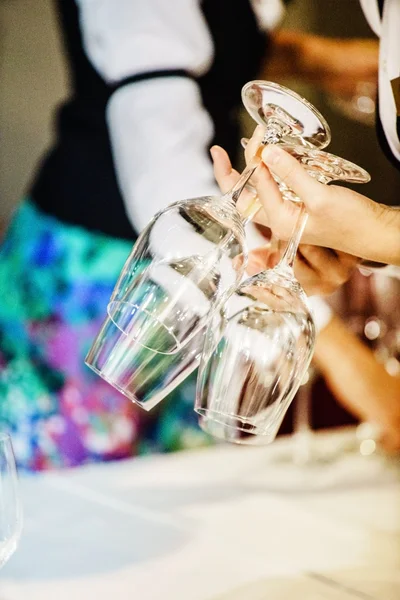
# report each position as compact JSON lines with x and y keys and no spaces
{"x":188,"y":259}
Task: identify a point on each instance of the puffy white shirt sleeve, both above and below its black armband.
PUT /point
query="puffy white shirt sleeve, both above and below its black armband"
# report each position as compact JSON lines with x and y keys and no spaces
{"x":159,"y":128}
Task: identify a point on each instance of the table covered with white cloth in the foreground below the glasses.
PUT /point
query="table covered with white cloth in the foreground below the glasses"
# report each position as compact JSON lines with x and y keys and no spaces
{"x":212,"y":524}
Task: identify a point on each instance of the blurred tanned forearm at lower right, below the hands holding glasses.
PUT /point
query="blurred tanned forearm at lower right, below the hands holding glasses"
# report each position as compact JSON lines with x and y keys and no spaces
{"x":356,"y":378}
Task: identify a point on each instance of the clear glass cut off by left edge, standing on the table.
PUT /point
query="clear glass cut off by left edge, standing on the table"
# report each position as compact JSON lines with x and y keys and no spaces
{"x":10,"y":505}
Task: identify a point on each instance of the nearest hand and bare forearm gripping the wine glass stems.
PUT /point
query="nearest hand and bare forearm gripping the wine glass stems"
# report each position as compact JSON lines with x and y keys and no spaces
{"x":337,"y":217}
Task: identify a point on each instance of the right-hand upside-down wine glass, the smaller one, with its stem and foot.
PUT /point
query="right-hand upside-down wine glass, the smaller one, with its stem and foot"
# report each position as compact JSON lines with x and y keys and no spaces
{"x":247,"y":382}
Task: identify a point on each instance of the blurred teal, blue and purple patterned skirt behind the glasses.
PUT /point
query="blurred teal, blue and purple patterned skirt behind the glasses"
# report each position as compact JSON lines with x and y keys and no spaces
{"x":55,"y":282}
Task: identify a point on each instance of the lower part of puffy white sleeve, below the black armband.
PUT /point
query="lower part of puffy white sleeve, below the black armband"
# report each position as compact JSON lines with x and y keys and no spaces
{"x":160,"y":149}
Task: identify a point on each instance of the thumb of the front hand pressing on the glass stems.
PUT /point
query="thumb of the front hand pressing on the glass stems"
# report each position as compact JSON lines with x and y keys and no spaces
{"x":287,"y":169}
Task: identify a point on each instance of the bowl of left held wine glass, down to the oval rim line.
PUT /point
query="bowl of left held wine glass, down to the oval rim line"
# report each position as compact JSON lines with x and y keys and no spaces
{"x":188,"y":259}
